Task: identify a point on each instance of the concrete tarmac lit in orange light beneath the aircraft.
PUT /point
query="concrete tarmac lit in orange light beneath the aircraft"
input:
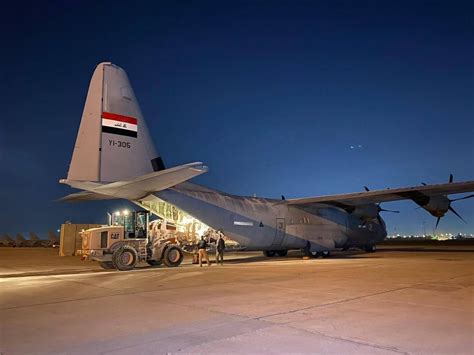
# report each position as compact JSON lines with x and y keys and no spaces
{"x":392,"y":301}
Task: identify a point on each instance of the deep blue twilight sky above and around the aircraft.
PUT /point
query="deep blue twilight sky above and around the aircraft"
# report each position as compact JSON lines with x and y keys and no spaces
{"x":271,"y":95}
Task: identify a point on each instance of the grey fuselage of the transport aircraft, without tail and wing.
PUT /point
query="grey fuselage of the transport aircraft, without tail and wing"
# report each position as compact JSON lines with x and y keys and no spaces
{"x":267,"y":224}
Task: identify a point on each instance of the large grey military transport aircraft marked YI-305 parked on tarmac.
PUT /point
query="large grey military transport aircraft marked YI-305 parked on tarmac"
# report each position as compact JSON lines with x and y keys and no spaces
{"x":114,"y":158}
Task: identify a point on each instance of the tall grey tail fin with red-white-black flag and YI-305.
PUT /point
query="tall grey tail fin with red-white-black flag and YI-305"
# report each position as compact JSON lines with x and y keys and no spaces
{"x":113,"y":142}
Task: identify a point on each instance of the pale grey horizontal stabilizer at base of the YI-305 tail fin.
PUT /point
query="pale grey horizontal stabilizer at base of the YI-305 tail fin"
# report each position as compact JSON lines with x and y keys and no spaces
{"x":136,"y":188}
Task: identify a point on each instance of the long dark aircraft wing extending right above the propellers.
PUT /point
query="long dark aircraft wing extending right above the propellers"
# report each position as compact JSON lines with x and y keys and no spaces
{"x":419,"y":194}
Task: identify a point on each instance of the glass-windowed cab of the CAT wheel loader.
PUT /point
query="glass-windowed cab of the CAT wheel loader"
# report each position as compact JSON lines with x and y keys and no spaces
{"x":135,"y":224}
